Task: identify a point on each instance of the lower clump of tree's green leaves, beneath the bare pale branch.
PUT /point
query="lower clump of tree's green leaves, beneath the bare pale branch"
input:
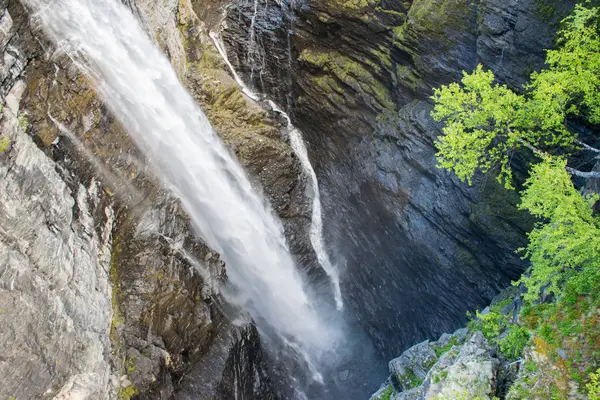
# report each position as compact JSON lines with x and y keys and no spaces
{"x":568,"y":239}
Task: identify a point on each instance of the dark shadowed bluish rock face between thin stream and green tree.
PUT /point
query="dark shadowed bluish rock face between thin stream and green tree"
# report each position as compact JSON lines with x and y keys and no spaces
{"x":417,"y":247}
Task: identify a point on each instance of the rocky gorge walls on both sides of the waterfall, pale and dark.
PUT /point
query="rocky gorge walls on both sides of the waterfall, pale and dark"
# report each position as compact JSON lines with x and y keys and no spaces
{"x":106,"y":292}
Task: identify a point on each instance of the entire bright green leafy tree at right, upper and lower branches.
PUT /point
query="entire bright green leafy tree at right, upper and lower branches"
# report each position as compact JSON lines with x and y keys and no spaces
{"x":485,"y":124}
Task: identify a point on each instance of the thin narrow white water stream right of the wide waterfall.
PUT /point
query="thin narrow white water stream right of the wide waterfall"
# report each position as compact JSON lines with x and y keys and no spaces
{"x":297,"y":143}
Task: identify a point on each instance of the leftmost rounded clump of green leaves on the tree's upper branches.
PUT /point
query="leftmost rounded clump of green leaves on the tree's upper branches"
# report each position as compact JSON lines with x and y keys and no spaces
{"x":480,"y":128}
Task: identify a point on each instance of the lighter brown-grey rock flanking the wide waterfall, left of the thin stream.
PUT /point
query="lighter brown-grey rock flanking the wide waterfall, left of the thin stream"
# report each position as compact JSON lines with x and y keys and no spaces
{"x":164,"y":318}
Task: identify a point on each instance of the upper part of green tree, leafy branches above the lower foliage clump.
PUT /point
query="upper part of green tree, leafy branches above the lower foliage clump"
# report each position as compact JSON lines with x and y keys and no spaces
{"x":486,"y":123}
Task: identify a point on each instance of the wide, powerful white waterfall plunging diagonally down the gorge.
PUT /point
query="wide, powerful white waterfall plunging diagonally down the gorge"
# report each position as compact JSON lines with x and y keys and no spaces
{"x":142,"y":90}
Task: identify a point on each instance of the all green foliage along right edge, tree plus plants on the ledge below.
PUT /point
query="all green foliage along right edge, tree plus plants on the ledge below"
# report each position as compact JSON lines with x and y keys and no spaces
{"x":484,"y":124}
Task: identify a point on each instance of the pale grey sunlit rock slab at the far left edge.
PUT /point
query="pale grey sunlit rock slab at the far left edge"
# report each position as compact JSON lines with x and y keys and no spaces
{"x":55,"y":294}
